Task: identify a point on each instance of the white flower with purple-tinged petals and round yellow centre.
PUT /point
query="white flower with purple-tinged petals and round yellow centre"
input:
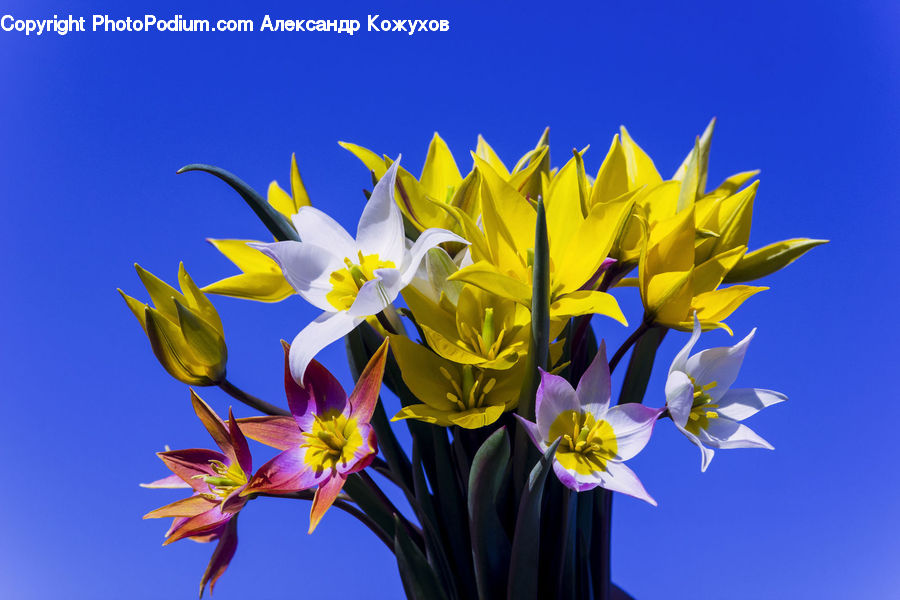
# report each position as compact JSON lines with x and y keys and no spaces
{"x":596,"y":439}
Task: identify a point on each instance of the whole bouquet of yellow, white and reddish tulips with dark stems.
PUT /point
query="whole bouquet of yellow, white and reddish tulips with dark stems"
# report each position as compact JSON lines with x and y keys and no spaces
{"x":470,"y":299}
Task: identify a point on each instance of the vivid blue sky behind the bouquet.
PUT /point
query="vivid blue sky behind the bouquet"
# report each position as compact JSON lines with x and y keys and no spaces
{"x":94,"y":126}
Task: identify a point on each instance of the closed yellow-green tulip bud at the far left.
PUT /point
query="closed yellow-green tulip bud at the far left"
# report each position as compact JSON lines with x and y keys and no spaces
{"x":184,"y":329}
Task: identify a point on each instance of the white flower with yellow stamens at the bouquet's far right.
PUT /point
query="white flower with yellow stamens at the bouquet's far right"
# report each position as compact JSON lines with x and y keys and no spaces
{"x":703,"y":406}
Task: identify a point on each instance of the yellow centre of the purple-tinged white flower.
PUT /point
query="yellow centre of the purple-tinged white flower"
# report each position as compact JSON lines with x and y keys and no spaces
{"x":586,"y":445}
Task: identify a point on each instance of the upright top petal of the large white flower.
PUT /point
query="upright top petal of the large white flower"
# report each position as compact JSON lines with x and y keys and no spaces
{"x":380,"y":229}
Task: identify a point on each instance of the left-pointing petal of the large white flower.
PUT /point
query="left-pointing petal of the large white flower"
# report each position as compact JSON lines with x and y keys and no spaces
{"x":306,"y":267}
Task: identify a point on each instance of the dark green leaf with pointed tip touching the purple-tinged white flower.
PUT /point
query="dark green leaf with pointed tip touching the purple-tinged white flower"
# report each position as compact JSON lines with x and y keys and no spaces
{"x":523,"y":564}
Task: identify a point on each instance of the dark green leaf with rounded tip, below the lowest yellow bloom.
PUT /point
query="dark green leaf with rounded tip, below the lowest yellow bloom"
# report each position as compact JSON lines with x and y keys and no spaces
{"x":490,"y":543}
